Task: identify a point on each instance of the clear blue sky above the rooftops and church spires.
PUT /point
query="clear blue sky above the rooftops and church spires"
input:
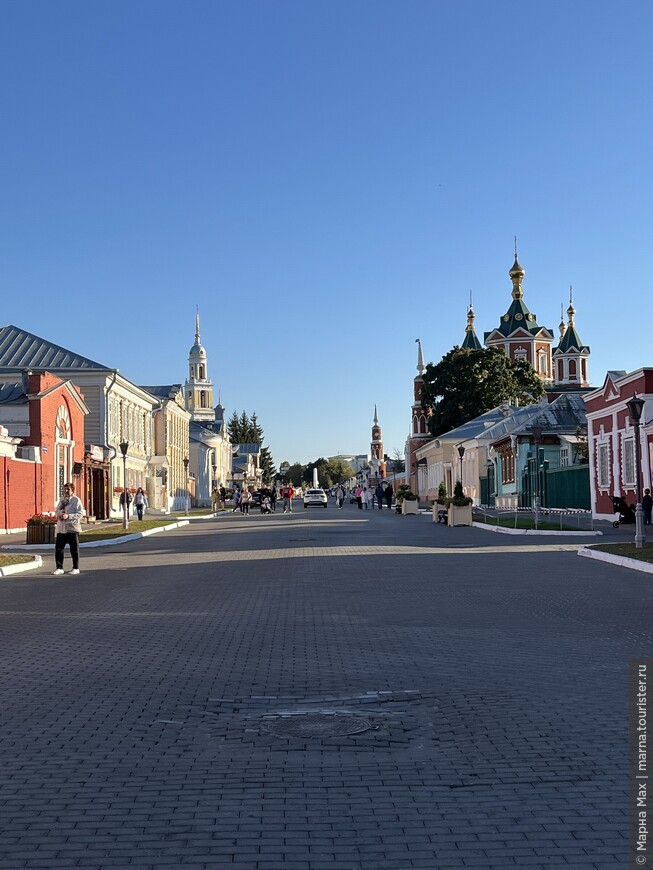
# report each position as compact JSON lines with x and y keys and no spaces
{"x":327,"y":181}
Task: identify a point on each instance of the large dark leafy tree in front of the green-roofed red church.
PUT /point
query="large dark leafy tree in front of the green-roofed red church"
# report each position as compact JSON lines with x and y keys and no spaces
{"x":466,"y":383}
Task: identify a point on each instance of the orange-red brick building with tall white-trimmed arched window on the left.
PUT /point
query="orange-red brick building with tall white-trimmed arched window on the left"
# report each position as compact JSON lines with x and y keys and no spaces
{"x":41,"y":445}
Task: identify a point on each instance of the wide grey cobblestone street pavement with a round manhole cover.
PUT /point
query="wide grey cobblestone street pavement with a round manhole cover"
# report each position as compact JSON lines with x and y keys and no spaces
{"x":321,"y":691}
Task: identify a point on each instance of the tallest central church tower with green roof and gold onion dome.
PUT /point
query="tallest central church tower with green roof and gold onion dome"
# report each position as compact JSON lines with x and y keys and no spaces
{"x":518,"y":333}
